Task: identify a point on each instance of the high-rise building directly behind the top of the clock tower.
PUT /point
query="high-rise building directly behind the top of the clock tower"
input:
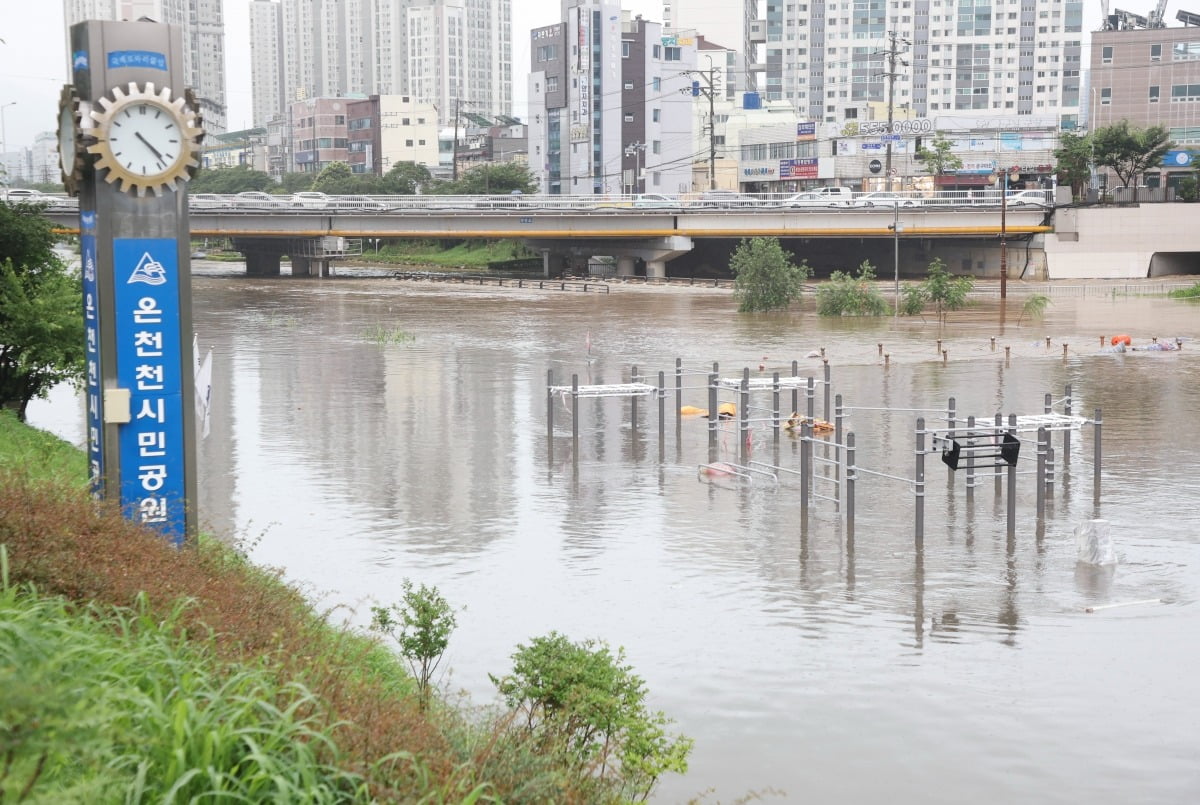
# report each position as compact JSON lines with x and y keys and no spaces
{"x":203,"y":32}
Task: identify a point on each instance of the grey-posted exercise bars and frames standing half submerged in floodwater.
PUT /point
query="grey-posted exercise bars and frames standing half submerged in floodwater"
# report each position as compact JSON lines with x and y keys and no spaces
{"x":976,"y":447}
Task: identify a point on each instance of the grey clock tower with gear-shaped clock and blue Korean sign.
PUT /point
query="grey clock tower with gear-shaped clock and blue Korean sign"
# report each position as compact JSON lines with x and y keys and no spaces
{"x":129,"y":142}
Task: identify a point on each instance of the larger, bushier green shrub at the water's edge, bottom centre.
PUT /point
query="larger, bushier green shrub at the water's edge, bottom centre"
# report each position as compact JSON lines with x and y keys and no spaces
{"x":585,"y":698}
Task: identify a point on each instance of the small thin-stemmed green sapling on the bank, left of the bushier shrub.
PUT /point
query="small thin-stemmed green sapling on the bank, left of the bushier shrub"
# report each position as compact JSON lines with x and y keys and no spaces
{"x":422,"y":626}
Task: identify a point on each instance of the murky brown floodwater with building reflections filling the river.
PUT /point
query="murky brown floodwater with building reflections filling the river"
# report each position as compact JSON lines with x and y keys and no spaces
{"x":797,"y":658}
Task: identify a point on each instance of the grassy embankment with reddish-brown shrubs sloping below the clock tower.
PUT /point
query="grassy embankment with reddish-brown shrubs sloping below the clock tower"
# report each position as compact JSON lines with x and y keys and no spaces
{"x":135,"y":672}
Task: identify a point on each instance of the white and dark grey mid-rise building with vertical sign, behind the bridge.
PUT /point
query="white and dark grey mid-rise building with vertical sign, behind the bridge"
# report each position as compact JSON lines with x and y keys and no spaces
{"x":610,"y":100}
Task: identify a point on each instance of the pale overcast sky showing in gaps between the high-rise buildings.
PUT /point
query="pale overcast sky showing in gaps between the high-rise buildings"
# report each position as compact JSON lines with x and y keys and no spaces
{"x":33,"y":57}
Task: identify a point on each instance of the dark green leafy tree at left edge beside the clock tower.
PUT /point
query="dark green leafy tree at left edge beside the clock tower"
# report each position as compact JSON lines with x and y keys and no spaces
{"x":41,"y":317}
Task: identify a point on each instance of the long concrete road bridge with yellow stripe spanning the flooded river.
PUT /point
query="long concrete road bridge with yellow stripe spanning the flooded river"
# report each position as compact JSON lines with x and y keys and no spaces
{"x":1127,"y":242}
